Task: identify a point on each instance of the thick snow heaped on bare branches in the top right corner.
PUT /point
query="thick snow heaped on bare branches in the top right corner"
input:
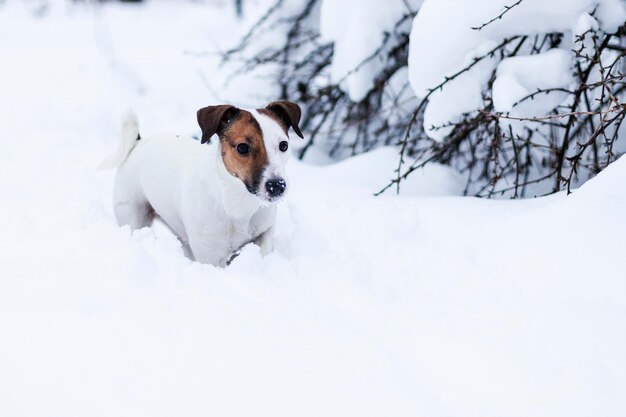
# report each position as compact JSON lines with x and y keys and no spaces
{"x":439,"y":50}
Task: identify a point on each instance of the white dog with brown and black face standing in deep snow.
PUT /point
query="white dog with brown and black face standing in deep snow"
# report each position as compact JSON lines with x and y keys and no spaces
{"x":218,"y":197}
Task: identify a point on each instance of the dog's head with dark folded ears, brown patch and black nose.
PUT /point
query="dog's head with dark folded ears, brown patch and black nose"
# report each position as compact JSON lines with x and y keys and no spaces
{"x":254,"y":143}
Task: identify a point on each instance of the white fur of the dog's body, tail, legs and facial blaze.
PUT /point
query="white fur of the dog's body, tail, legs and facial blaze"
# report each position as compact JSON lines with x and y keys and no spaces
{"x":189,"y":188}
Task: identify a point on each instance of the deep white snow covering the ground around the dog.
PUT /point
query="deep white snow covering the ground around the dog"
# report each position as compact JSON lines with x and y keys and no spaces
{"x":425,"y":304}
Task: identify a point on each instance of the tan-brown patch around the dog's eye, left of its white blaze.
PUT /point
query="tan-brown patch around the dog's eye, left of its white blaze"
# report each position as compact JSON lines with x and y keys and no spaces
{"x":243,"y":150}
